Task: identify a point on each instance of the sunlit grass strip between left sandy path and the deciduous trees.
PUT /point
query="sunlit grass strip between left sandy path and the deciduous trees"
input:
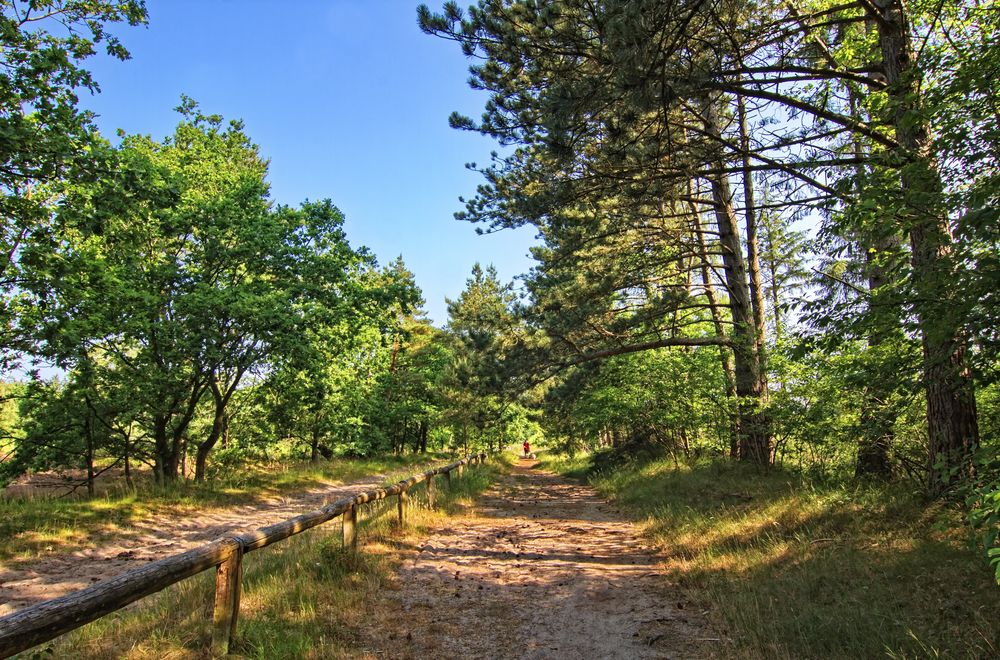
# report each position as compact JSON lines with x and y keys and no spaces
{"x":35,"y":527}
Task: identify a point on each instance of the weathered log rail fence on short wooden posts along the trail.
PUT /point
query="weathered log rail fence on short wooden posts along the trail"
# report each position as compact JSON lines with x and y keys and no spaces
{"x":47,"y":620}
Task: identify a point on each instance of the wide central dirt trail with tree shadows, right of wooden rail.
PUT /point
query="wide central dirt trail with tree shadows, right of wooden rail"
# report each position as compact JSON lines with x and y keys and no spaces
{"x":543,"y":568}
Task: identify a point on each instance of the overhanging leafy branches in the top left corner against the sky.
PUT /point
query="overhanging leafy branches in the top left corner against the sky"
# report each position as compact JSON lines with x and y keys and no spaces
{"x":47,"y":139}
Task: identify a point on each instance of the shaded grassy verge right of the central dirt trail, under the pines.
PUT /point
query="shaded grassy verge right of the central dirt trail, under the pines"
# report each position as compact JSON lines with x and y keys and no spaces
{"x":793,"y":568}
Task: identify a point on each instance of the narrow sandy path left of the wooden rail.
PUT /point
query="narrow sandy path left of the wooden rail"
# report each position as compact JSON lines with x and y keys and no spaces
{"x":53,"y":575}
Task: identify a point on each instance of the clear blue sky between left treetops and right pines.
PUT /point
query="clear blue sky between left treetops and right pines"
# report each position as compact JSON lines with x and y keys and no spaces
{"x":348,"y":100}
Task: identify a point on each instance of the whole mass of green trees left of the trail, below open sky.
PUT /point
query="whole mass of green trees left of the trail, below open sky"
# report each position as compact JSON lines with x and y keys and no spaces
{"x":160,"y":309}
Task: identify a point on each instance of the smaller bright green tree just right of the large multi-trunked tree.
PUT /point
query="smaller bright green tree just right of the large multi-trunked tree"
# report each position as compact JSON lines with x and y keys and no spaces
{"x":335,"y":393}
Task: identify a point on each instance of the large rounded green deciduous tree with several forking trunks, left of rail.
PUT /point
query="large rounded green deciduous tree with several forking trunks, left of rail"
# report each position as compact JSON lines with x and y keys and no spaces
{"x":177,"y":279}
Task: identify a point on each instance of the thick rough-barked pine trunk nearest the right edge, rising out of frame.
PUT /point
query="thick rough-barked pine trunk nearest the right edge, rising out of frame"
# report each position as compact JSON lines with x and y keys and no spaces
{"x":952,"y":424}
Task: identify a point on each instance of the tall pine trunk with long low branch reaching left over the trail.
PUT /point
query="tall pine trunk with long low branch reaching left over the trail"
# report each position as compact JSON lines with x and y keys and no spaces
{"x":751,"y":384}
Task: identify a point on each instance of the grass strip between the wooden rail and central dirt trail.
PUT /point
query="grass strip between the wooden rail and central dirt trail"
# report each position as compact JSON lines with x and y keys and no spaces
{"x":303,"y":598}
